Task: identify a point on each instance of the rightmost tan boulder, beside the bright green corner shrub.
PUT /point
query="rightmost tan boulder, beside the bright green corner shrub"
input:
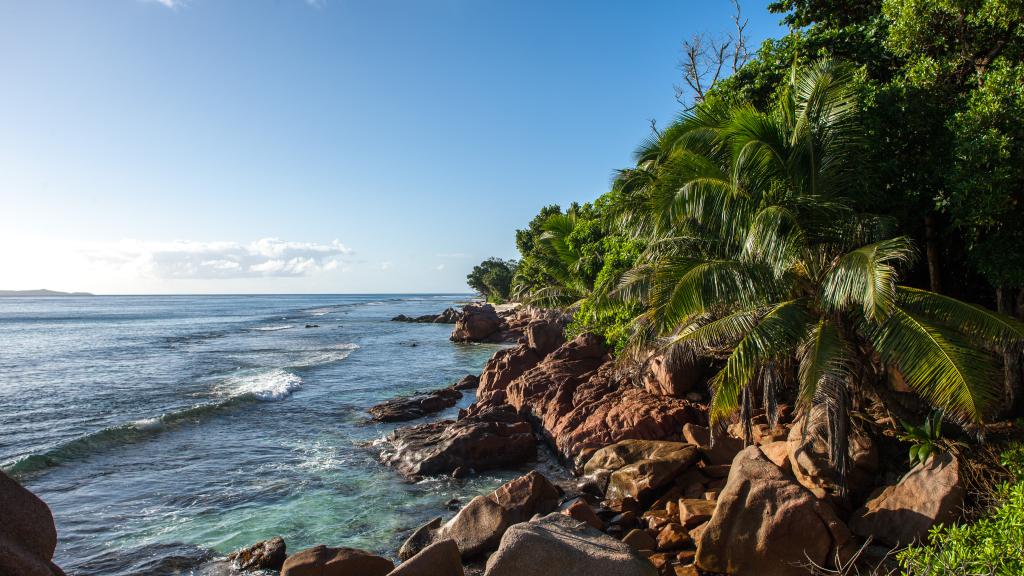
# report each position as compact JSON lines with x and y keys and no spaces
{"x":901,"y":515}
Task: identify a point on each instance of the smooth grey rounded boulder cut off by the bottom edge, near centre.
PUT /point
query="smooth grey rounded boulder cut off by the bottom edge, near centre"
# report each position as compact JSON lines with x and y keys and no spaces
{"x":560,"y":545}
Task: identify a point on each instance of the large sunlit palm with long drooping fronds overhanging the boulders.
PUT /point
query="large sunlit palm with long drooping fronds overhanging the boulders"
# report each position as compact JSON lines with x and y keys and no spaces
{"x":758,"y":256}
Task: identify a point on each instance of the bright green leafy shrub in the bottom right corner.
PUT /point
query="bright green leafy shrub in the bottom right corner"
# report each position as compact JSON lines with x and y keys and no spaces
{"x":993,"y":546}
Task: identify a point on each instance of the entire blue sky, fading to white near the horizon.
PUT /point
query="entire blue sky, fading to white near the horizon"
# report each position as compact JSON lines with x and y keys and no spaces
{"x":316,"y":146}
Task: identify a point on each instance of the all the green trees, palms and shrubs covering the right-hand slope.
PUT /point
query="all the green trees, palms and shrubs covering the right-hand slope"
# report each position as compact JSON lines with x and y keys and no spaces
{"x":845,"y":212}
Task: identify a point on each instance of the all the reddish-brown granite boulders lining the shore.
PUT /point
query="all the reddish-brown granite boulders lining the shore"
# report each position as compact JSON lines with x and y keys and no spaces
{"x":658,"y":492}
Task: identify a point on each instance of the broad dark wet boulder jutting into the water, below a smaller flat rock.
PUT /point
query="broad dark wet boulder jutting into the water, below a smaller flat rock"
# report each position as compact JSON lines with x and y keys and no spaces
{"x":491,"y":439}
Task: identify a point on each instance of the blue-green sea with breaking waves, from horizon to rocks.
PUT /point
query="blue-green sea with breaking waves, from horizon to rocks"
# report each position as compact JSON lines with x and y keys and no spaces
{"x":164,"y":432}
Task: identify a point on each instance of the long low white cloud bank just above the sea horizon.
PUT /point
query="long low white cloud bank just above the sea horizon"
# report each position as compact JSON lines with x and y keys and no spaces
{"x":188,"y":260}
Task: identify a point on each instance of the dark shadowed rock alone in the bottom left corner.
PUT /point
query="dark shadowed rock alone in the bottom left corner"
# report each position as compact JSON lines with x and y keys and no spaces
{"x":28,"y":536}
